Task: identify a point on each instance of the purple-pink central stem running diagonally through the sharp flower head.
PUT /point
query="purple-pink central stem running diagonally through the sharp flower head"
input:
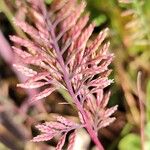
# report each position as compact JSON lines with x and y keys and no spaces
{"x":88,"y":126}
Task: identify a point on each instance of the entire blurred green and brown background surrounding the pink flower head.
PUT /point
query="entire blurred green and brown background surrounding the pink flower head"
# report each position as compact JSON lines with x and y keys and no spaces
{"x":129,"y":35}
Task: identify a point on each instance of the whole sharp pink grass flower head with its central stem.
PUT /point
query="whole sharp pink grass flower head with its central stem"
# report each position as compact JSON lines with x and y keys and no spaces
{"x":59,"y":54}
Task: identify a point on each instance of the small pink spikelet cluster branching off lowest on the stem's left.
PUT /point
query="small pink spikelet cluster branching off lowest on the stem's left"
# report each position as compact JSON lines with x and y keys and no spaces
{"x":51,"y":129}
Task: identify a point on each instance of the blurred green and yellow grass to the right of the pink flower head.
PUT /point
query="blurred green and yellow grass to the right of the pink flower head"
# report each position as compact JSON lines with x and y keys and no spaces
{"x":130,"y":43}
